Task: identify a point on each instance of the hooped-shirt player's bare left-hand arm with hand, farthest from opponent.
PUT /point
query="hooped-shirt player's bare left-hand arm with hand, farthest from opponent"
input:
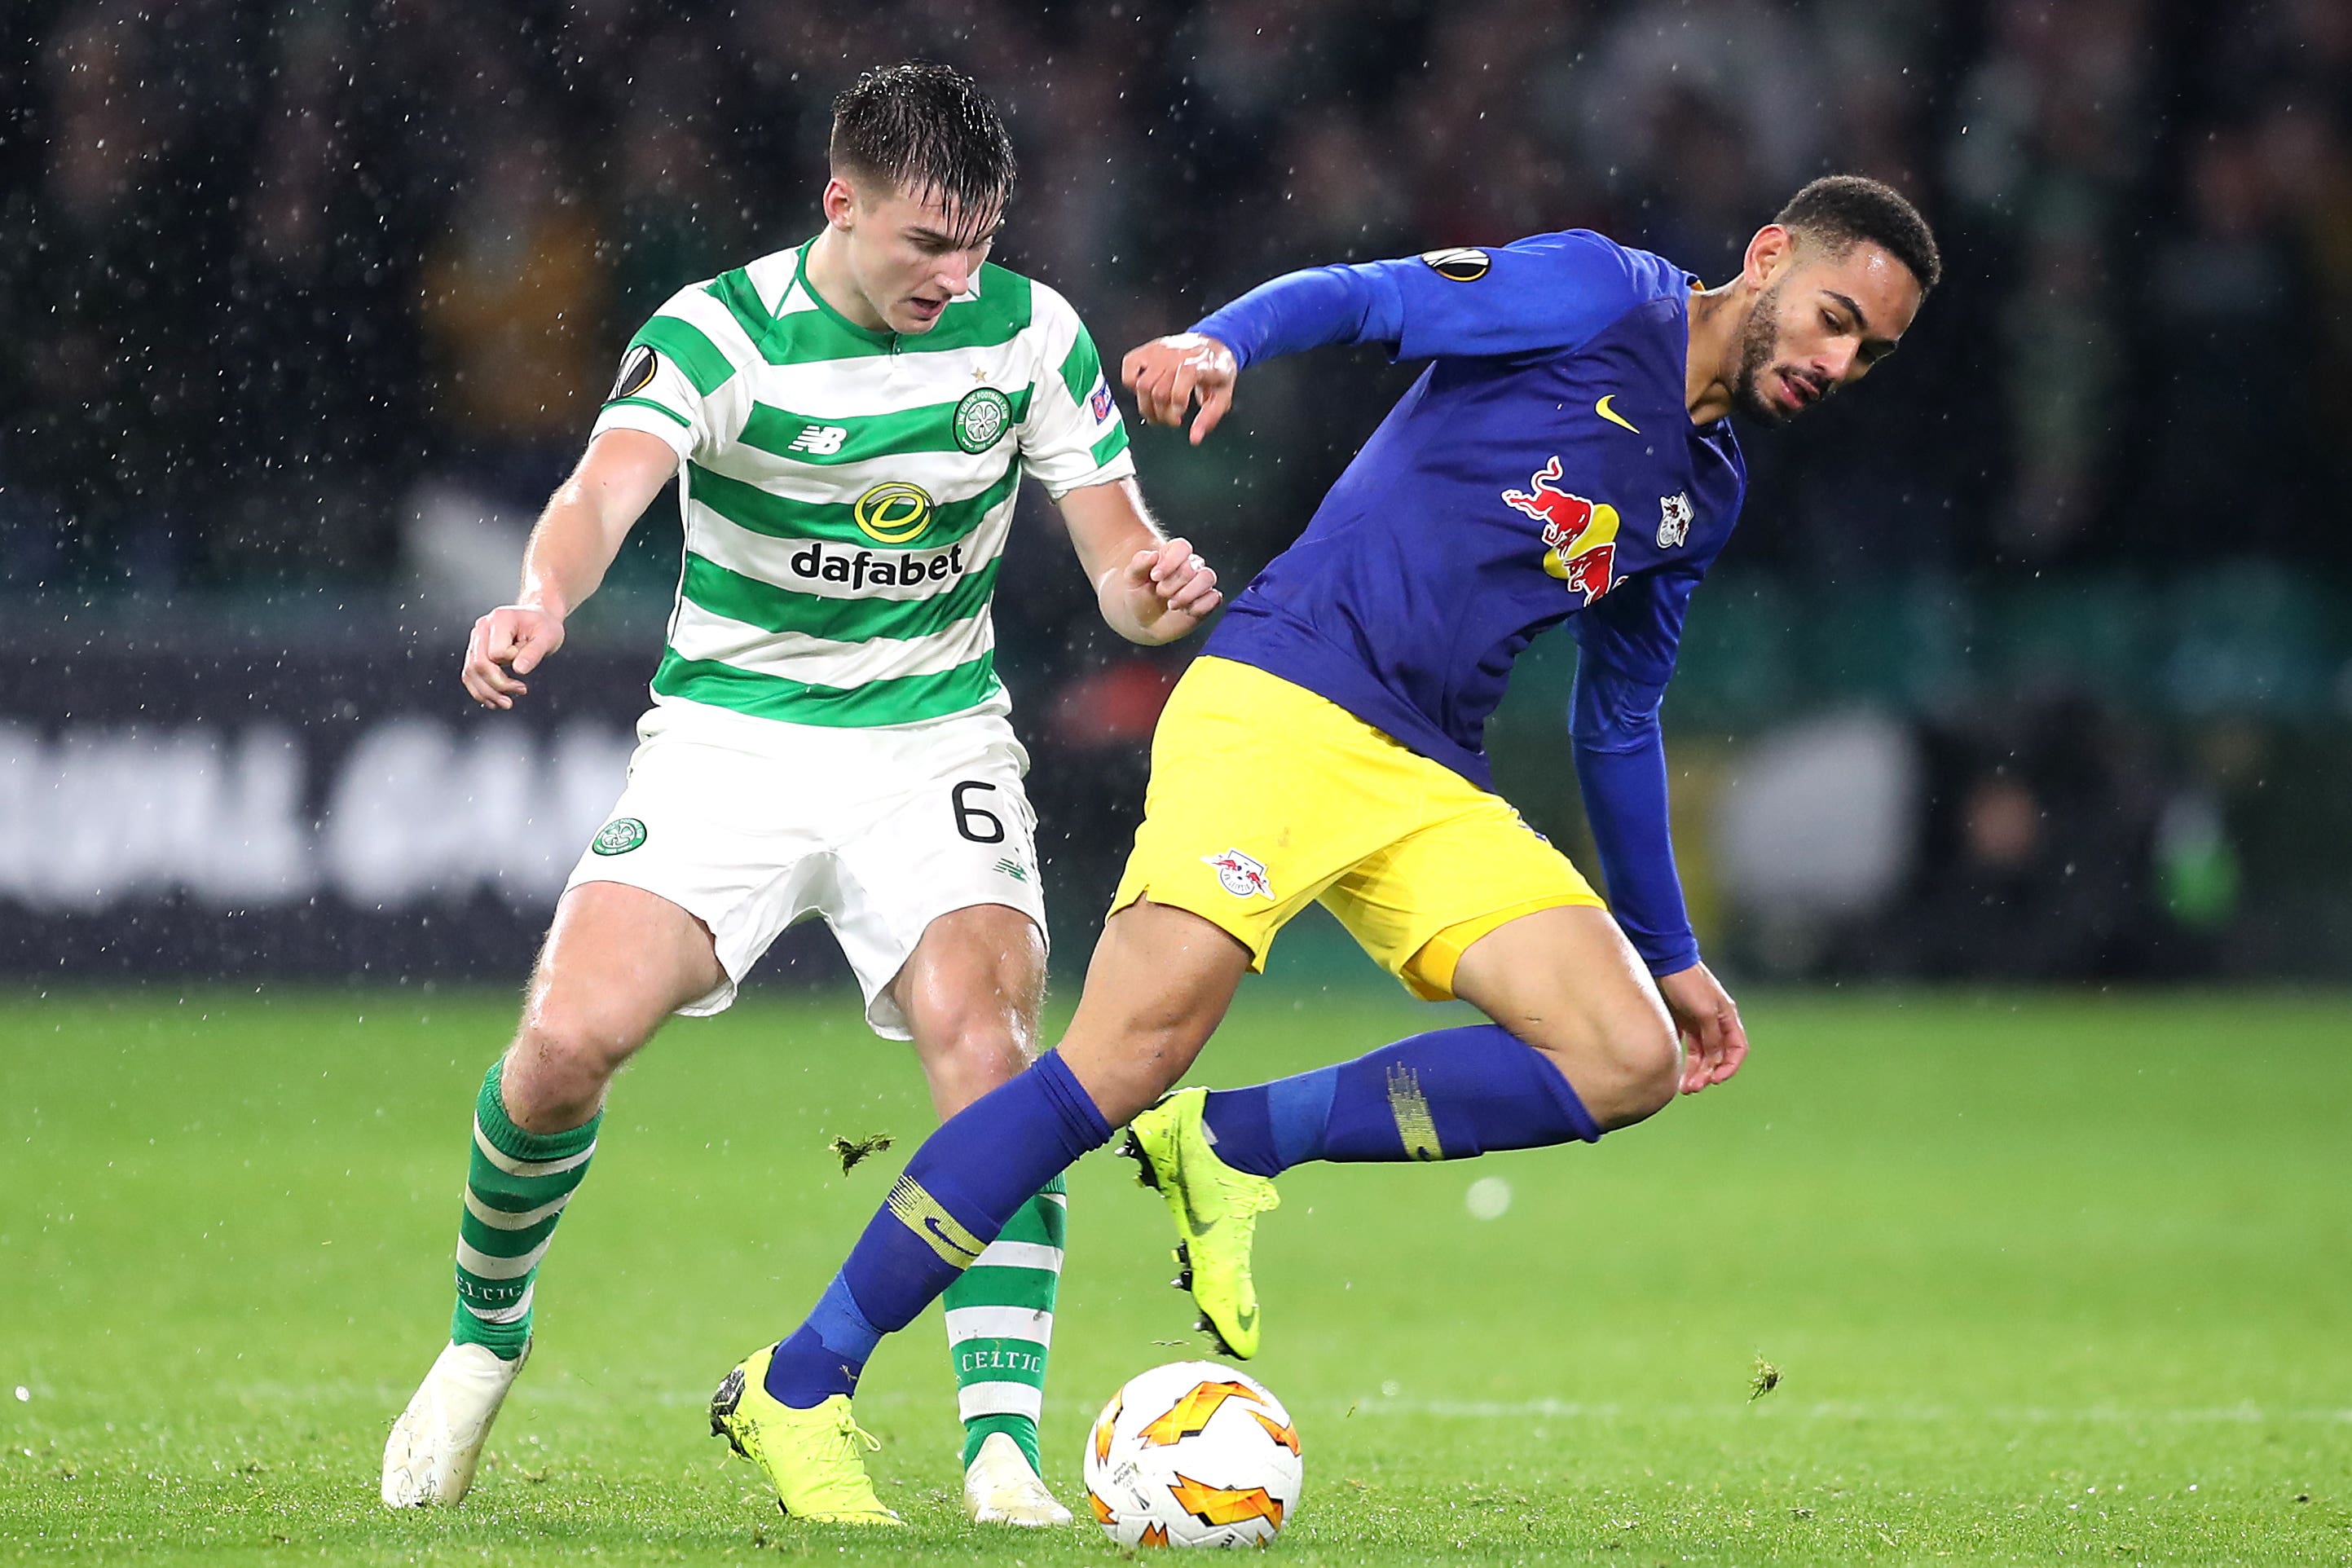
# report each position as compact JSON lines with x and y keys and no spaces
{"x":570,"y":551}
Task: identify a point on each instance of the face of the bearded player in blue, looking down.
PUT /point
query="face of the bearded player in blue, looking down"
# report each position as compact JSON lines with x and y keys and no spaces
{"x":1822,"y":326}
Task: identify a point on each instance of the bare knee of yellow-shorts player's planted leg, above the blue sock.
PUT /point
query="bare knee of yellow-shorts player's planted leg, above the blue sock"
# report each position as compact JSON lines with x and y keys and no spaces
{"x":1156,"y":989}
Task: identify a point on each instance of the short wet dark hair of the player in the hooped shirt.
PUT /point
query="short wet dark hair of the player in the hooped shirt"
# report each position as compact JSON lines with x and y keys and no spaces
{"x":930,"y":130}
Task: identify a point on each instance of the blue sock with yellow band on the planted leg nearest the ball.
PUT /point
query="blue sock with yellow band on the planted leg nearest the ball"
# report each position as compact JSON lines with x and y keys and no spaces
{"x":956,"y":1195}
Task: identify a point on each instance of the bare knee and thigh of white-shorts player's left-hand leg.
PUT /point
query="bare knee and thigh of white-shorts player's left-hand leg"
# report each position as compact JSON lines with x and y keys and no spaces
{"x":615,"y":965}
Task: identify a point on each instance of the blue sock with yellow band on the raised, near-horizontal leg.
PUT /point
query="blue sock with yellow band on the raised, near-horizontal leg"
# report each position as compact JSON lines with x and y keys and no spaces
{"x":1448,"y":1094}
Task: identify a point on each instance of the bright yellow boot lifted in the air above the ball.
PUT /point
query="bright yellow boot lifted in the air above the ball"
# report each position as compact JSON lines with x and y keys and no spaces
{"x":1217,"y":1214}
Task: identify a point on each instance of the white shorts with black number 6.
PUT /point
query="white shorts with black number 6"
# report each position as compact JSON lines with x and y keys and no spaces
{"x":754,"y":826}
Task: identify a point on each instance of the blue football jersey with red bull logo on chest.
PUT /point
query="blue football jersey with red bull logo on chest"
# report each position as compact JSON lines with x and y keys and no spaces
{"x":1542,"y":469}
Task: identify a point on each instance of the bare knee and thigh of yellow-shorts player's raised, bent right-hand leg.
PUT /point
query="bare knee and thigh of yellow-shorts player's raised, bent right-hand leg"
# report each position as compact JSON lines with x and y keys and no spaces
{"x":1572,"y":986}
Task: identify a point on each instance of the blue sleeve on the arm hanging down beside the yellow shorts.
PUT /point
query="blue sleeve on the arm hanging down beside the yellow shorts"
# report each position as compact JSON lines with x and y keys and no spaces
{"x":1626,"y":655}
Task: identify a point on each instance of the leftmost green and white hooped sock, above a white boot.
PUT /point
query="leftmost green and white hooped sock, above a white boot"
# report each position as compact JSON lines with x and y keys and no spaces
{"x":516,"y":1191}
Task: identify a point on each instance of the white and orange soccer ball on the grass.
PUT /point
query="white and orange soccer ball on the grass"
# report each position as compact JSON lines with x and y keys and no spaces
{"x":1194,"y":1454}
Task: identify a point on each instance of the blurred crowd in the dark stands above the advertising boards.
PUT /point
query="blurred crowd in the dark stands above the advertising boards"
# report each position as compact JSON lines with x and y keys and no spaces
{"x":276,"y":269}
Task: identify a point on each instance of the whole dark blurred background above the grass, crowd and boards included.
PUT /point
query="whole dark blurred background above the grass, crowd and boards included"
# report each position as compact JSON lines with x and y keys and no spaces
{"x":309,"y":304}
